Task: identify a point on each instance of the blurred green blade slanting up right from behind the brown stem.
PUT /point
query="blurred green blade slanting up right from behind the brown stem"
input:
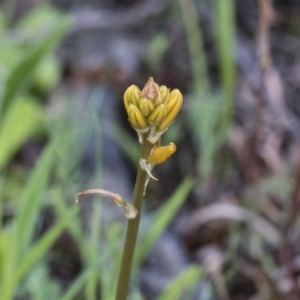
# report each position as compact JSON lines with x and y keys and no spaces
{"x":162,"y":219}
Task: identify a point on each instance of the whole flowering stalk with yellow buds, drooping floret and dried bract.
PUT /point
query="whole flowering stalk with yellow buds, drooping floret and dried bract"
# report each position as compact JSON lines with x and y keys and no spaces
{"x":150,"y":113}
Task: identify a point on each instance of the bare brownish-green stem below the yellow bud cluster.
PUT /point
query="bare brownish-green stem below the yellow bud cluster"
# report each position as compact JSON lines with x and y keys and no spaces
{"x":133,"y":227}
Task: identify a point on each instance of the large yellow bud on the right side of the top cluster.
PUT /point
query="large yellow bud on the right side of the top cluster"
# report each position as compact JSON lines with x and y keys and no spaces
{"x":174,"y":103}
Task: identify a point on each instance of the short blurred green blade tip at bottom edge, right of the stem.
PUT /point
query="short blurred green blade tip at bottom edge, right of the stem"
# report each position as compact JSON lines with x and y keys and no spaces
{"x":183,"y":284}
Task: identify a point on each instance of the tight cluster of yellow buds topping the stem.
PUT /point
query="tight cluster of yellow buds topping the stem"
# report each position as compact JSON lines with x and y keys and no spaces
{"x":153,"y":109}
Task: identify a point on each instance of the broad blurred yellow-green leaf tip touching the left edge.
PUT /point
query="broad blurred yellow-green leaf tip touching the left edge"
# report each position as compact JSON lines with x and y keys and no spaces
{"x":20,"y":122}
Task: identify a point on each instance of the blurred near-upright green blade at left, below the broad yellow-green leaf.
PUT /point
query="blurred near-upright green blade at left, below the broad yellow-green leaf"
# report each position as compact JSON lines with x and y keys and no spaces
{"x":31,"y":201}
